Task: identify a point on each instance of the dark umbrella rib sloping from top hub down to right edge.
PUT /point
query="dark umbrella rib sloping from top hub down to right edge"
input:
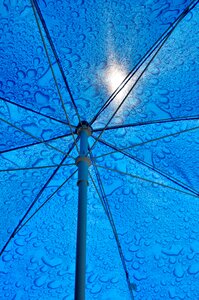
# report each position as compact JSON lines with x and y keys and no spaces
{"x":169,"y":177}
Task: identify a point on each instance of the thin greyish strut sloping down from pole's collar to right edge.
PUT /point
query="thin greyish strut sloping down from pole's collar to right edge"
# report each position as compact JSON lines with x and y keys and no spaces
{"x":148,"y":180}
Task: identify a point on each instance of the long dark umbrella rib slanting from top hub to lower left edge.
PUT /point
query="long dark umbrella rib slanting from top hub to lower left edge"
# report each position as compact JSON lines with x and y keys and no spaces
{"x":34,"y":201}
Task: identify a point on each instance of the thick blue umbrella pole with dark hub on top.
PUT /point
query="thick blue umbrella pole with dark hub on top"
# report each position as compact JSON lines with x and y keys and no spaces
{"x":83,"y":163}
